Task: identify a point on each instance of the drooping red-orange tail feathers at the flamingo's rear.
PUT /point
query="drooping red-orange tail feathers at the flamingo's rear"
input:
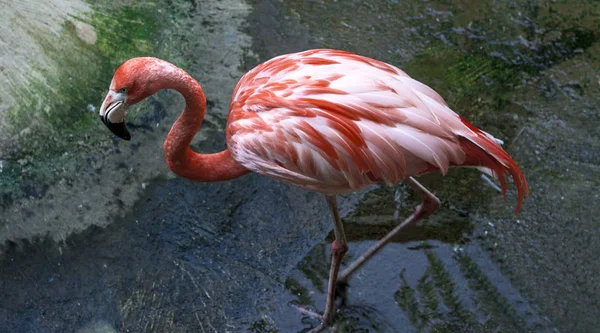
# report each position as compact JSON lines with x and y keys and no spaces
{"x":481,"y":149}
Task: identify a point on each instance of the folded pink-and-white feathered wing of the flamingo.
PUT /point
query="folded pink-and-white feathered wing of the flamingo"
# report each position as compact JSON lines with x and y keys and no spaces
{"x":333,"y":121}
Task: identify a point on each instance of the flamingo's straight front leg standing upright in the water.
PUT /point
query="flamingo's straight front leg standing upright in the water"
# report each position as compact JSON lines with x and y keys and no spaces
{"x":339,"y":247}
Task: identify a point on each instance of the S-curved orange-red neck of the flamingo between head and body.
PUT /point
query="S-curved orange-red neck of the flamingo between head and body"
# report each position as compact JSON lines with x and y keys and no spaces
{"x":181,"y":159}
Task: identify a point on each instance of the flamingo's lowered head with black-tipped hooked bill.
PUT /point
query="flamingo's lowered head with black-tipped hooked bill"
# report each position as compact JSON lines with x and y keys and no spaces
{"x":133,"y":81}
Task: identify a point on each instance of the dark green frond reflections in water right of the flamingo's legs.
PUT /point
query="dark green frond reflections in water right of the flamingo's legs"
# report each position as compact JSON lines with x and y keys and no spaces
{"x":435,"y":304}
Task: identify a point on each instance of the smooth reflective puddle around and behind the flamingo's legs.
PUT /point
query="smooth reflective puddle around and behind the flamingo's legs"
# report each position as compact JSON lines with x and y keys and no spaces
{"x":436,"y":286}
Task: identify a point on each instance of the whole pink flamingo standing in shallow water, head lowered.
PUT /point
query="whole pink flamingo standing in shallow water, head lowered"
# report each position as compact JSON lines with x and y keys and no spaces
{"x":325,"y":120}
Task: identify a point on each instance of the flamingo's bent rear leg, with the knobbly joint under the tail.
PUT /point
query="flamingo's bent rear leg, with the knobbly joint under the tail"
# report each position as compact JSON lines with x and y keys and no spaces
{"x":429,"y":205}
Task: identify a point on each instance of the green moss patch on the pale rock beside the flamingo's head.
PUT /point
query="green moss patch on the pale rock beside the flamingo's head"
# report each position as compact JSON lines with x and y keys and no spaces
{"x":52,"y":124}
